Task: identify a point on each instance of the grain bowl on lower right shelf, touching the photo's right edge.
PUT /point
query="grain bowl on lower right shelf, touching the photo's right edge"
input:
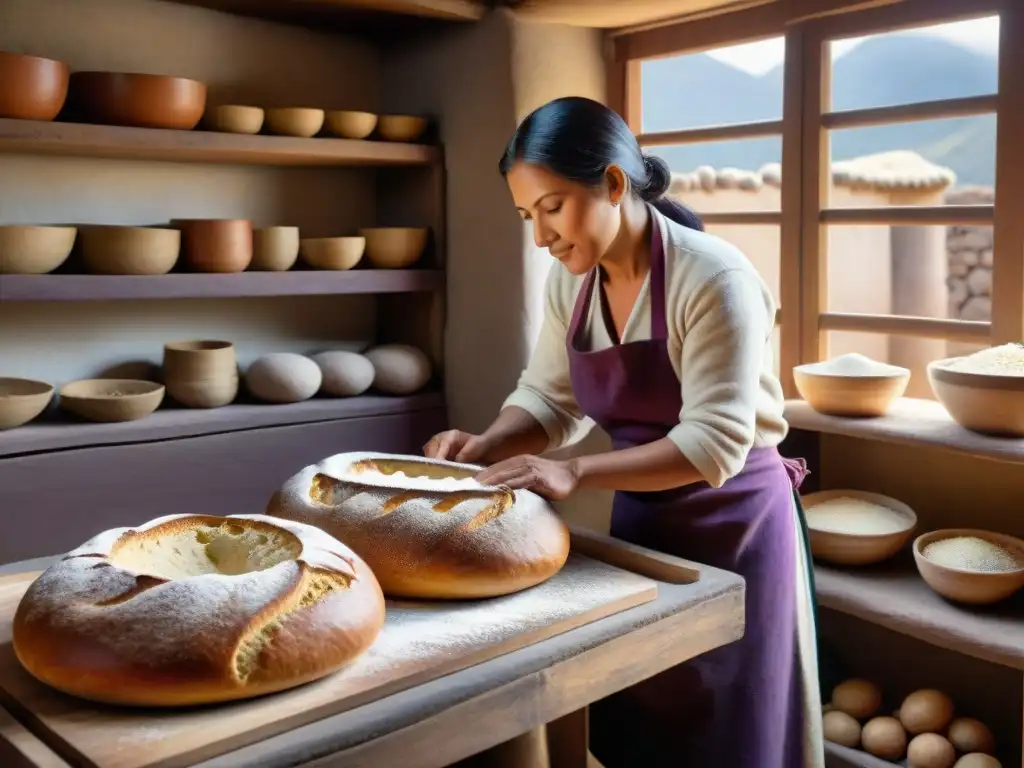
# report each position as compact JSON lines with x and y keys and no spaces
{"x":972,"y":567}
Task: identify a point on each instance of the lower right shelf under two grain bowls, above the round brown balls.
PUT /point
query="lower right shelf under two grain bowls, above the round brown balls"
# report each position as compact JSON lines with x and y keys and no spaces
{"x":894,"y":596}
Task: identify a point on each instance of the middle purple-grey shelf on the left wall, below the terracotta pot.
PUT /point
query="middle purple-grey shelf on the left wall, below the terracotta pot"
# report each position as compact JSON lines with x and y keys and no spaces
{"x":195,"y":286}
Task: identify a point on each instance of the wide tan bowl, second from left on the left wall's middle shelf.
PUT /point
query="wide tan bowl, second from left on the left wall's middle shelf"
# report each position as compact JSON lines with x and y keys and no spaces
{"x":130,"y":250}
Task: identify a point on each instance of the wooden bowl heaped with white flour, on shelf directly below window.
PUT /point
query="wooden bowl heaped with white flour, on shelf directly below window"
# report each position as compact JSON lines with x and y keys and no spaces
{"x":851,"y":386}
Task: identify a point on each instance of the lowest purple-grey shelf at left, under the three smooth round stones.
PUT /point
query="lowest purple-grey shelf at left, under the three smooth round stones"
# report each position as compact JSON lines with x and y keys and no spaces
{"x":54,"y":433}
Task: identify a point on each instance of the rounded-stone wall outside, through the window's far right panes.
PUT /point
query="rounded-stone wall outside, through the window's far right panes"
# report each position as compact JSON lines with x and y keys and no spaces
{"x":970,"y":251}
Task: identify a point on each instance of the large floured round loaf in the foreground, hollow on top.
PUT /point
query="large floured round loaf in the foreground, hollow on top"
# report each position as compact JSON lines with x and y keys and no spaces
{"x":191,"y":610}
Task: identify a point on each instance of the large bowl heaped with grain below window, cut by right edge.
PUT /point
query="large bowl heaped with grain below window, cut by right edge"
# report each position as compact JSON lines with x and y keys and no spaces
{"x":985,"y":392}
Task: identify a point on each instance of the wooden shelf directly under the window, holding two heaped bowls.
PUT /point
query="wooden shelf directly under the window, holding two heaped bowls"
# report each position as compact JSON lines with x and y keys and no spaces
{"x":910,"y":422}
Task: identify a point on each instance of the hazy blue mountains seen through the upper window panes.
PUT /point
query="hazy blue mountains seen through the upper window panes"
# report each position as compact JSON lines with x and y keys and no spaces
{"x":697,"y":91}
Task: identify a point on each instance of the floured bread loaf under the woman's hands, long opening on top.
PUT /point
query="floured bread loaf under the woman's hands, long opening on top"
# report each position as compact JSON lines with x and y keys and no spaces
{"x":426,"y":528}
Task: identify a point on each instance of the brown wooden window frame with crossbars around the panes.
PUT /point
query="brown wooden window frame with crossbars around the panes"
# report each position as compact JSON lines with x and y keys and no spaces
{"x":805,"y":217}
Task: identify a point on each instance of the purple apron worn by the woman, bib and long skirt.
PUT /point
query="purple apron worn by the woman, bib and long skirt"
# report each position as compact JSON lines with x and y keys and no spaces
{"x":736,"y":707}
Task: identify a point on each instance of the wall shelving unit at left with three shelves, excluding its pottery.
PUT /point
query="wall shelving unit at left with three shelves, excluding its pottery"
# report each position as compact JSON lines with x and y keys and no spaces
{"x":239,"y":454}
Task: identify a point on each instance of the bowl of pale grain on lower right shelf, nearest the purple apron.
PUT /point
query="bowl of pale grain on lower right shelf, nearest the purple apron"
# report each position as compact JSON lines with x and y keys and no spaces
{"x":857,"y":528}
